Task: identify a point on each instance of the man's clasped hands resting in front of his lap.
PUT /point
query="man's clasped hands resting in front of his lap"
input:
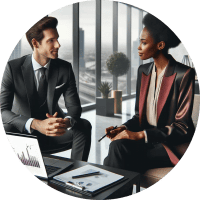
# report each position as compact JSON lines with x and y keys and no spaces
{"x":50,"y":127}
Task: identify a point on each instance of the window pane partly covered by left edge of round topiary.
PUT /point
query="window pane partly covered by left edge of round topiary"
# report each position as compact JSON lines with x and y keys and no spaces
{"x":106,"y":39}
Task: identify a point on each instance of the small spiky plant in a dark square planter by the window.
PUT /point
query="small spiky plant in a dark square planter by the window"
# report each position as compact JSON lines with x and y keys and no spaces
{"x":105,"y":105}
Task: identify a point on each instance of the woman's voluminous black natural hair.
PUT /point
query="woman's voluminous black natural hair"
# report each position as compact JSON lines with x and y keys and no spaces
{"x":160,"y":31}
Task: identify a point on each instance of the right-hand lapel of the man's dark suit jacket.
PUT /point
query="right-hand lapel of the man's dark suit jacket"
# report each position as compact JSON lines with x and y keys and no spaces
{"x":52,"y":80}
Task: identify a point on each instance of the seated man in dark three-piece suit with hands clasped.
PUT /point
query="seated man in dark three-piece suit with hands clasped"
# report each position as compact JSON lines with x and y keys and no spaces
{"x":30,"y":90}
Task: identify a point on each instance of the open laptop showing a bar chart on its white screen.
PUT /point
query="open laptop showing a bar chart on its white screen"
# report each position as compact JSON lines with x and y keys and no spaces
{"x":27,"y":150}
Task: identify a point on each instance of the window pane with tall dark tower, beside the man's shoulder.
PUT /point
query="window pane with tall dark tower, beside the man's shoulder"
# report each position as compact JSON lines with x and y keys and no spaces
{"x":87,"y":79}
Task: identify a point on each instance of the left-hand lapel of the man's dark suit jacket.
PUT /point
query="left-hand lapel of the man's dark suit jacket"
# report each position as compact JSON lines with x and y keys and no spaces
{"x":28,"y":75}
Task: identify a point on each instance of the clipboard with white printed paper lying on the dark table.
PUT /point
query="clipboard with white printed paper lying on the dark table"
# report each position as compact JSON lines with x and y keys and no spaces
{"x":90,"y":185}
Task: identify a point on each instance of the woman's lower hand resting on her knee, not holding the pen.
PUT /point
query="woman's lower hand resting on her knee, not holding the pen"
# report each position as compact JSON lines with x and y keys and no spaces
{"x":126,"y":134}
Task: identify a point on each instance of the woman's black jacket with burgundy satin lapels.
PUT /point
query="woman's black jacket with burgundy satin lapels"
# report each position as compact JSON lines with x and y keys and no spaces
{"x":174,"y":107}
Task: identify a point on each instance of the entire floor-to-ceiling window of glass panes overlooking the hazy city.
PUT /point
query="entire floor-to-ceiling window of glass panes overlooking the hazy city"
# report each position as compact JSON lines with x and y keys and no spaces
{"x":87,"y":41}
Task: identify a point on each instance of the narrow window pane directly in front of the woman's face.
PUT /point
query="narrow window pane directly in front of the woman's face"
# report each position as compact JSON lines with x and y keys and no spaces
{"x":134,"y":49}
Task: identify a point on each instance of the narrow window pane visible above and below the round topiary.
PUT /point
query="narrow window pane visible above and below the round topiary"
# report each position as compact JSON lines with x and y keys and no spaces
{"x":122,"y":38}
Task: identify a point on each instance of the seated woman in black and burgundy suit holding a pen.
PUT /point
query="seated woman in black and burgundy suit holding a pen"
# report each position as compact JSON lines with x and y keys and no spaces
{"x":164,"y":102}
